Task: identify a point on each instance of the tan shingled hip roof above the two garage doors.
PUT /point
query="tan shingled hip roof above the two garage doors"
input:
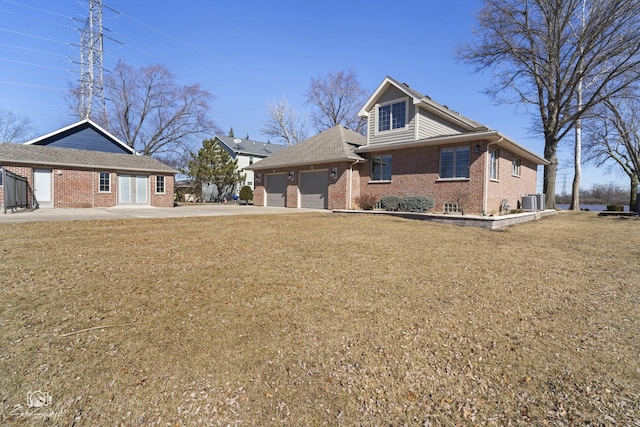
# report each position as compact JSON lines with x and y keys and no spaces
{"x":332,"y":145}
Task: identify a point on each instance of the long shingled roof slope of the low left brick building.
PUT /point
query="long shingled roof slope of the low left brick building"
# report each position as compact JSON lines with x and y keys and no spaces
{"x":66,"y":157}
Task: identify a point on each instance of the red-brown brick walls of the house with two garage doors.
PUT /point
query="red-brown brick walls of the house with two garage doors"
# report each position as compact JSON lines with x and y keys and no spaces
{"x":415,"y":172}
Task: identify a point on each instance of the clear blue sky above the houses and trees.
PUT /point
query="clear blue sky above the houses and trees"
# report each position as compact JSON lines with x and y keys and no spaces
{"x":250,"y":53}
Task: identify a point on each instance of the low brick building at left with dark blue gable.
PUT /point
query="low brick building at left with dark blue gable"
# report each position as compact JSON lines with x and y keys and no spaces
{"x":83,"y":166}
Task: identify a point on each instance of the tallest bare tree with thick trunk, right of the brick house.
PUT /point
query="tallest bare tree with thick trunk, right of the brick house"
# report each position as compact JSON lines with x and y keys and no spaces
{"x":531,"y":45}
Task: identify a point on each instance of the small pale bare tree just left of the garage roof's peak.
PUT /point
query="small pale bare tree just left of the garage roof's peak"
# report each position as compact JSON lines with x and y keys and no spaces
{"x":284,"y":124}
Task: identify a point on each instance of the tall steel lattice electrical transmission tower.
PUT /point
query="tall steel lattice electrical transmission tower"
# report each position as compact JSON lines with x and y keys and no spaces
{"x":92,"y":101}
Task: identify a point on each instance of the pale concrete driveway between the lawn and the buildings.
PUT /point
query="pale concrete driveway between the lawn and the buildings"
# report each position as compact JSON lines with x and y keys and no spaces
{"x":123,"y":212}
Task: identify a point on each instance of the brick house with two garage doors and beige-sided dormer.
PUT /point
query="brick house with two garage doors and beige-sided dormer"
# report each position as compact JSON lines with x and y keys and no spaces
{"x":414,"y":147}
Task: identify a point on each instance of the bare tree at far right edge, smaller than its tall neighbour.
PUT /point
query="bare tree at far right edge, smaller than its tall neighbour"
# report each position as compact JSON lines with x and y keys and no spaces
{"x":612,"y":139}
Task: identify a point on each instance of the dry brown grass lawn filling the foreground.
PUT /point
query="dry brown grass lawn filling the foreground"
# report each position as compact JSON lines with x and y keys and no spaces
{"x":321,"y":319}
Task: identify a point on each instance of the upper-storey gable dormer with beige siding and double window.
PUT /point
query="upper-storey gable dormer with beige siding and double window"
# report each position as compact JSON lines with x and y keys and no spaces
{"x":396,"y":113}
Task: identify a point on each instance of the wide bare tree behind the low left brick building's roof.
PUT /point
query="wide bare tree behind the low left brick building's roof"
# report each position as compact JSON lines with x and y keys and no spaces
{"x":150,"y":111}
